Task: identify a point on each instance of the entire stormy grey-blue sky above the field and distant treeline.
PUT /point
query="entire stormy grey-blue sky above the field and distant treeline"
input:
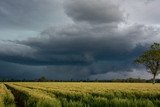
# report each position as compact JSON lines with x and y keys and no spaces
{"x":76,"y":39}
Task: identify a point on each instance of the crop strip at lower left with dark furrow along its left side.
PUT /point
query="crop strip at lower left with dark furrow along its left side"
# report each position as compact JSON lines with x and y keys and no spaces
{"x":26,"y":97}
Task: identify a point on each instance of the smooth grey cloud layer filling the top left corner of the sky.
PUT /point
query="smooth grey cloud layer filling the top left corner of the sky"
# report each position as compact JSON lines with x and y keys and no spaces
{"x":31,"y":15}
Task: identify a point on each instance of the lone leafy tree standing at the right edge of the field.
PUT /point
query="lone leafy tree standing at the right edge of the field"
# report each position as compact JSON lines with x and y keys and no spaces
{"x":151,"y":60}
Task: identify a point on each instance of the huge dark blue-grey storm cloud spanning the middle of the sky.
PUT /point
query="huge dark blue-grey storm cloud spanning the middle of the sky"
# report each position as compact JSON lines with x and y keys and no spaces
{"x":82,"y":45}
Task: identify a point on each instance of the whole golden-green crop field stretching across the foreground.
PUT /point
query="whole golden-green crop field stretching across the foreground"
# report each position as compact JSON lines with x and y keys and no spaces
{"x":79,"y":94}
